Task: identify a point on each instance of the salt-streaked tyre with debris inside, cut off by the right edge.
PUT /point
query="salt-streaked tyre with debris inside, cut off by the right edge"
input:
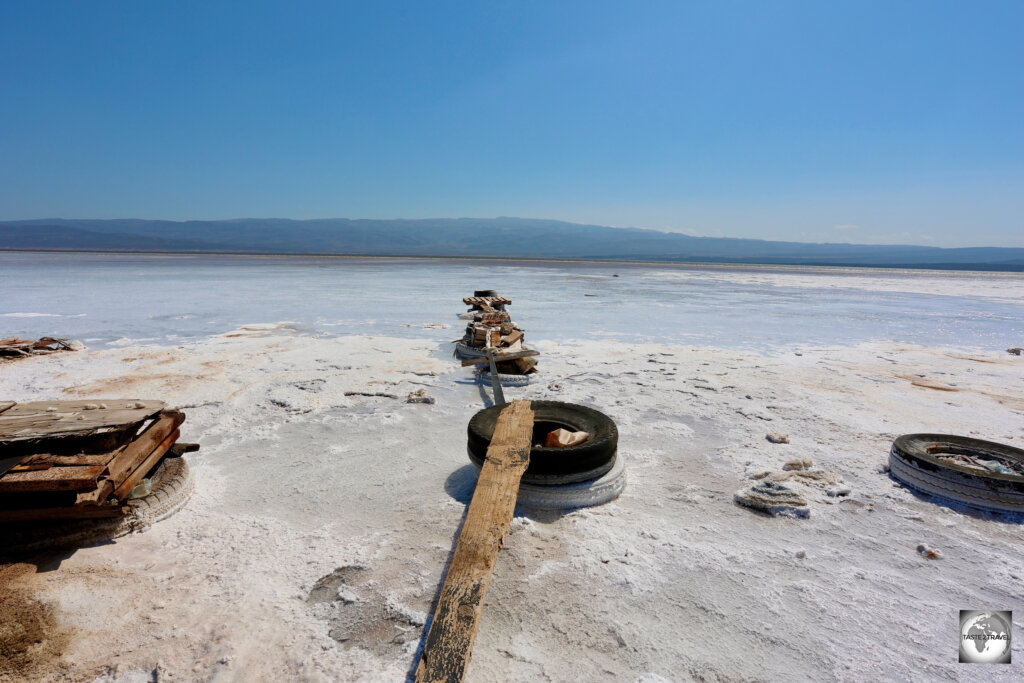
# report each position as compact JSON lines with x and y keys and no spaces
{"x":913,"y":461}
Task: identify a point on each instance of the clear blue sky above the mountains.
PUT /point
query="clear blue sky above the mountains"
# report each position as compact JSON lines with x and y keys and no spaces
{"x":820,"y":121}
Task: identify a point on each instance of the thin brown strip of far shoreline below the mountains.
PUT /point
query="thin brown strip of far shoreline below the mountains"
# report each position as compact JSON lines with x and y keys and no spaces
{"x":938,"y":268}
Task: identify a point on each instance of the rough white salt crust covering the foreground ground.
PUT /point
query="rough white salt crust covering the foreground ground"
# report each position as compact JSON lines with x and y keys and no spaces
{"x":671,"y":582}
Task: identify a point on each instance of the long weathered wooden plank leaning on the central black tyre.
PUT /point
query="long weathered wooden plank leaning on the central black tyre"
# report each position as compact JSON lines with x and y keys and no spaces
{"x":450,"y":643}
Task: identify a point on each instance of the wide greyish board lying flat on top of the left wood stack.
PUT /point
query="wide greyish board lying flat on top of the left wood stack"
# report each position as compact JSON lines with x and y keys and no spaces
{"x":53,"y":419}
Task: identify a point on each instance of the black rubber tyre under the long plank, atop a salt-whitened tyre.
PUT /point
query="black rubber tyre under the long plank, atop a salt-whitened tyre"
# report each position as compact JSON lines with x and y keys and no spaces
{"x":598,"y":451}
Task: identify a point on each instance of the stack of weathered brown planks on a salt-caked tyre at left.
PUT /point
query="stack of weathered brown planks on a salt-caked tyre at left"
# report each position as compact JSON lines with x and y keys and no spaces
{"x":80,"y":459}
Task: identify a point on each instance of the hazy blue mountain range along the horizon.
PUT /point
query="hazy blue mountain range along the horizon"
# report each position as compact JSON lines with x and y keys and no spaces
{"x":504,"y":238}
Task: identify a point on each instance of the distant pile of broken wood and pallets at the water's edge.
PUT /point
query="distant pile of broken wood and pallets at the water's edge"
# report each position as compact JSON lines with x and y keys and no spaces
{"x":492,"y":331}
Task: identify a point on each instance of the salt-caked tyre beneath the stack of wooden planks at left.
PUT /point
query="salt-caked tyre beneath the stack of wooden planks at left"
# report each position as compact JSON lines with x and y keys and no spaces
{"x":172,"y":487}
